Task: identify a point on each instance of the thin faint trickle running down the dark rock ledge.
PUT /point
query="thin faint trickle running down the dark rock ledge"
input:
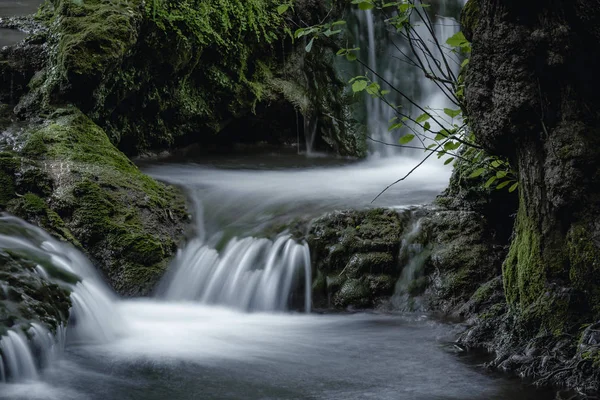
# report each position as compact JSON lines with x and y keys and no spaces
{"x":415,"y":255}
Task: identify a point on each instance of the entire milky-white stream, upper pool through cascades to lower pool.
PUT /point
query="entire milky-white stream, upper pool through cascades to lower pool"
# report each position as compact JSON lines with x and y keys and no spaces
{"x":219,"y":325}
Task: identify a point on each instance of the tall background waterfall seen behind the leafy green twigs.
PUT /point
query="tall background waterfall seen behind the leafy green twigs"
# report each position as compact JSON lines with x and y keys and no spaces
{"x":383,"y":51}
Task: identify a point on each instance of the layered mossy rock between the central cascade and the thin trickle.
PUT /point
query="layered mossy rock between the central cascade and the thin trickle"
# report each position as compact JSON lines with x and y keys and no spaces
{"x":355,"y":256}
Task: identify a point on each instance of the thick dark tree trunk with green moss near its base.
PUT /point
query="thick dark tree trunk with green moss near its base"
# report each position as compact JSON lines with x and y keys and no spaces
{"x":532,"y":96}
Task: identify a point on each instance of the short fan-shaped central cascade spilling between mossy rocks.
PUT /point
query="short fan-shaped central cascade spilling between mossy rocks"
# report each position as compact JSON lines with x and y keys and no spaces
{"x":249,"y":274}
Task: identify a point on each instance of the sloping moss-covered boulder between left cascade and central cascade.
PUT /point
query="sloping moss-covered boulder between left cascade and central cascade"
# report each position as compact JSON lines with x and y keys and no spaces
{"x":69,"y":179}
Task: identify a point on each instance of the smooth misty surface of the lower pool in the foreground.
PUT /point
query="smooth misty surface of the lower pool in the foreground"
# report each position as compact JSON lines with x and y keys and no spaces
{"x":185,"y":351}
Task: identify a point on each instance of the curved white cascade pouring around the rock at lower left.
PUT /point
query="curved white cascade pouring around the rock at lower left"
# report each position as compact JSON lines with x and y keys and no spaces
{"x":93,"y":317}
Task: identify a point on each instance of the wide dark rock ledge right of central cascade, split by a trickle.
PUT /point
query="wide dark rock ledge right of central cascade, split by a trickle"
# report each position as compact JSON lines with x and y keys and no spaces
{"x":359,"y":257}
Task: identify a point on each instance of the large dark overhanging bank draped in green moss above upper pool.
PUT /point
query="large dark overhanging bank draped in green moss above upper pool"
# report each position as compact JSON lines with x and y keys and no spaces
{"x":157,"y":75}
